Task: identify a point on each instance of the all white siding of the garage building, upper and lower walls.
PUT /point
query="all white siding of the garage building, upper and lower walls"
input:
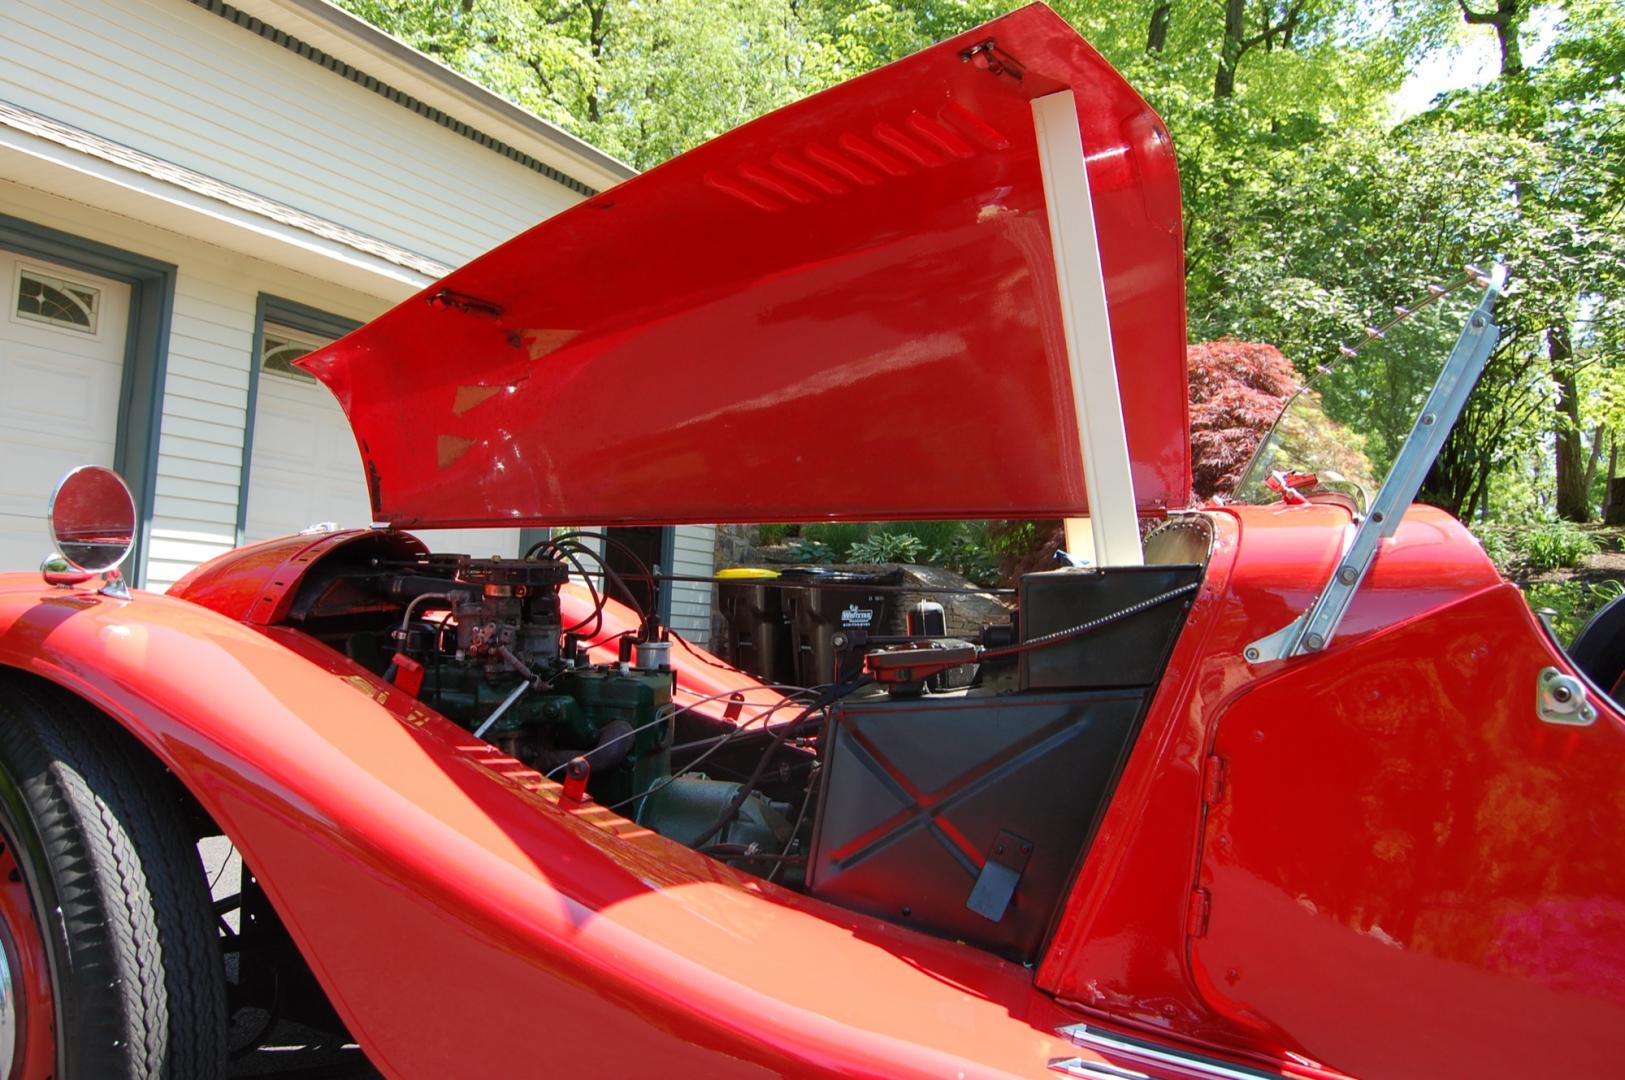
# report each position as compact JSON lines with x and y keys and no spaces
{"x":186,"y":87}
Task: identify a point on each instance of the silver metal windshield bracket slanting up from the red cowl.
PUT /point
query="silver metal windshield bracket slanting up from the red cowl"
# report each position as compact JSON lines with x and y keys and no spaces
{"x":1315,"y":629}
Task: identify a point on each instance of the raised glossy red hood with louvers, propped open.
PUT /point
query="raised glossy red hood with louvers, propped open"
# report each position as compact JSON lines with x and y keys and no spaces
{"x":846,"y":309}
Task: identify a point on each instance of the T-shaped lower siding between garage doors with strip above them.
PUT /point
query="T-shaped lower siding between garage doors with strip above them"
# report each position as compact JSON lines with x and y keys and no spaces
{"x":207,"y":381}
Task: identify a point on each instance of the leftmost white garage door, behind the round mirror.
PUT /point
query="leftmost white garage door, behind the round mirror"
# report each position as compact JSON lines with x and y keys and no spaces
{"x":61,"y":368}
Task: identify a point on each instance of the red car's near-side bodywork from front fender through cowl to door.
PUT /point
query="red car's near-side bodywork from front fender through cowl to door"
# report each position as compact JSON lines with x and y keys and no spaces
{"x":1432,"y":863}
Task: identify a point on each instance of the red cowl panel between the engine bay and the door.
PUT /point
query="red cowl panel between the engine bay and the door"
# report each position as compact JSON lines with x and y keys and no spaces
{"x":1120,"y":948}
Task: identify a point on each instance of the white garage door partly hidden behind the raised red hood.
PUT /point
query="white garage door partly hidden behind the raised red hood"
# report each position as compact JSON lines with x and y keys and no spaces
{"x":306,"y":469}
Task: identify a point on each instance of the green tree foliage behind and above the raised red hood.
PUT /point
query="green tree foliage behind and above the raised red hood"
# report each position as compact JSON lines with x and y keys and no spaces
{"x":1309,"y":209}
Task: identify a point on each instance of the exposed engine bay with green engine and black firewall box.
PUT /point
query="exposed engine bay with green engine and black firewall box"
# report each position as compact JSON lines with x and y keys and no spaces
{"x":948,"y":785}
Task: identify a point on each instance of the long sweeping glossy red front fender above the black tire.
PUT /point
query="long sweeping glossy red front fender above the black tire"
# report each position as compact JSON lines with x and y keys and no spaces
{"x":464,"y":922}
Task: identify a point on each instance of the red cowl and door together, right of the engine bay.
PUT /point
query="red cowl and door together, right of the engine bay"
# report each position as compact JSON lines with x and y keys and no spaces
{"x":1452,"y":652}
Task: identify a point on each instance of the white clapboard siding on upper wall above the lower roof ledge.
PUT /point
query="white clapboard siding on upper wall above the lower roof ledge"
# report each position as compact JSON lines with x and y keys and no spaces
{"x":193,"y":89}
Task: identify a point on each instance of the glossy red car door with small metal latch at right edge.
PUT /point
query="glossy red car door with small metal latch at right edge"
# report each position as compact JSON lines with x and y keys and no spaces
{"x":1450,"y":881}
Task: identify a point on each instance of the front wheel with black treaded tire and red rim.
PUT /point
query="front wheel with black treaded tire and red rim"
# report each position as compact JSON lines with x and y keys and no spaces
{"x":110,"y":961}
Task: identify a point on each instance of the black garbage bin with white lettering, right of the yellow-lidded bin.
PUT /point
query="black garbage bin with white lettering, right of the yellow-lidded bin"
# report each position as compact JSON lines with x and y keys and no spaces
{"x":820,"y":605}
